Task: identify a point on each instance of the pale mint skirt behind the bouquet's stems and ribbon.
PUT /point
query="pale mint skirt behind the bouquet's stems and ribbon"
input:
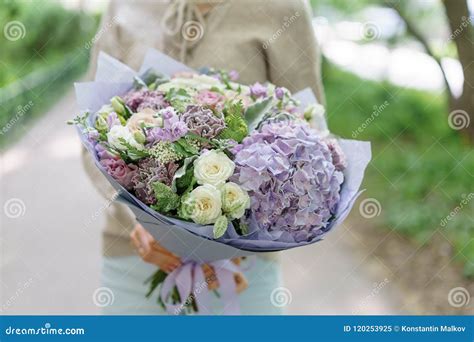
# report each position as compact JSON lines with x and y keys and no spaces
{"x":124,"y":278}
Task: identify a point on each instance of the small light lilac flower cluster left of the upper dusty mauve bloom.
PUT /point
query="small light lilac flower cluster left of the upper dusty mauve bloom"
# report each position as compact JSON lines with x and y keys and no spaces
{"x":173,"y":127}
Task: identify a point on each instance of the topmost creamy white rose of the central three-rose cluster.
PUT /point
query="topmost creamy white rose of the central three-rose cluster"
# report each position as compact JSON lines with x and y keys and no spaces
{"x":213,"y":168}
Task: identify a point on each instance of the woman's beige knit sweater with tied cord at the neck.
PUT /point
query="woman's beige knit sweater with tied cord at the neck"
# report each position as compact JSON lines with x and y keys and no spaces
{"x":264,"y":40}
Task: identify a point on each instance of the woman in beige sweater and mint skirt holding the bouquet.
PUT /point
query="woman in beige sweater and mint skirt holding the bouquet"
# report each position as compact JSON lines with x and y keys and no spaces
{"x":261,"y":40}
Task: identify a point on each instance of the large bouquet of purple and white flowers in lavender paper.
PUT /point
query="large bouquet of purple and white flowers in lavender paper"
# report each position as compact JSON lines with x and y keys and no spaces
{"x":215,"y":169}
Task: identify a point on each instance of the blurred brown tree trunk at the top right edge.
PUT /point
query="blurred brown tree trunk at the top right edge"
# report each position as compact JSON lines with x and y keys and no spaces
{"x":462,"y":34}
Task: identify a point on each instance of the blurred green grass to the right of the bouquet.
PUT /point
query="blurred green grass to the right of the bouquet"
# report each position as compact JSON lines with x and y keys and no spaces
{"x":421,"y":173}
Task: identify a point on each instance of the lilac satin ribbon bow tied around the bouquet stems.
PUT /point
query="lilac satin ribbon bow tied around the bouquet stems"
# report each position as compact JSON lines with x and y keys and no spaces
{"x":190,"y":280}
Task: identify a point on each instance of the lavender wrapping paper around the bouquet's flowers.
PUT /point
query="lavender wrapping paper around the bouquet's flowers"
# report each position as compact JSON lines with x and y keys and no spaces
{"x":191,"y":241}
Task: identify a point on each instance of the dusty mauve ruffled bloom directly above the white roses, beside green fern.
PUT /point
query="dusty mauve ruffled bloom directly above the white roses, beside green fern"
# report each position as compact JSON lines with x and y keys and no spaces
{"x":203,"y":122}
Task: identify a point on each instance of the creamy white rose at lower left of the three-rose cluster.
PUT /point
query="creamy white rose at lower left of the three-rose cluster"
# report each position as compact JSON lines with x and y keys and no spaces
{"x":203,"y":205}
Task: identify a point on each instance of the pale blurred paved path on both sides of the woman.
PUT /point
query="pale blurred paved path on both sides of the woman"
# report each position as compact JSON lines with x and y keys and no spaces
{"x":50,"y":258}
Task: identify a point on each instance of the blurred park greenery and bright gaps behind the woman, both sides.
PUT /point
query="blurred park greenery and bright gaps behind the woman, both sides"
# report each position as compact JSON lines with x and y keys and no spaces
{"x":392,"y":76}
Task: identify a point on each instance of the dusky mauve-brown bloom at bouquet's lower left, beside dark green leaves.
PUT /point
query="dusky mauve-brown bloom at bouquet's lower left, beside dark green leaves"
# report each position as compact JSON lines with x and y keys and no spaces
{"x":149,"y":171}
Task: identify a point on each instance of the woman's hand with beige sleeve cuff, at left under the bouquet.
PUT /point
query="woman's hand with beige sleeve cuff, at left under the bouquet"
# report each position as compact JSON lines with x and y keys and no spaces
{"x":152,"y":252}
